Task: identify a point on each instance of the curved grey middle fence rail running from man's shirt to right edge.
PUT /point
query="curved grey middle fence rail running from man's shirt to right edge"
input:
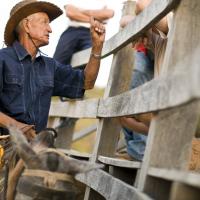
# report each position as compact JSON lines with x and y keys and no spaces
{"x":181,"y":86}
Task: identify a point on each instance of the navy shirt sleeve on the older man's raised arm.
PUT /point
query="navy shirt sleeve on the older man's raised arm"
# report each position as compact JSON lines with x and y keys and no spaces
{"x":68,"y":82}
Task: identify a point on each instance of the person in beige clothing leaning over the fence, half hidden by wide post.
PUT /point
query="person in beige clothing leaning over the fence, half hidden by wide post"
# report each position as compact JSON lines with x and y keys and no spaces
{"x":156,"y":39}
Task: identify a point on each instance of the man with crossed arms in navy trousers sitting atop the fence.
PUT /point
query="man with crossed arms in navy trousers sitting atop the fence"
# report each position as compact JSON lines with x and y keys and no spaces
{"x":77,"y":36}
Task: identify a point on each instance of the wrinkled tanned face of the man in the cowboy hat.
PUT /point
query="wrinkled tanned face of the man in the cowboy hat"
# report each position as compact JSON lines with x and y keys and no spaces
{"x":39,"y":29}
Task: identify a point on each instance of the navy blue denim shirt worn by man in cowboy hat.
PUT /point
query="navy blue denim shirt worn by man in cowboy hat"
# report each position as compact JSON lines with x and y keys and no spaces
{"x":26,"y":86}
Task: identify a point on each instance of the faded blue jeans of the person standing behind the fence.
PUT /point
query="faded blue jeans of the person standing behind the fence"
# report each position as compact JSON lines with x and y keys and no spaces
{"x":142,"y":73}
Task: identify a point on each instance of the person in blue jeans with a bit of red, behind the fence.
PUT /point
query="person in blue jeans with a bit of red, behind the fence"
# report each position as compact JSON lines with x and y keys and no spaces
{"x":143,"y":72}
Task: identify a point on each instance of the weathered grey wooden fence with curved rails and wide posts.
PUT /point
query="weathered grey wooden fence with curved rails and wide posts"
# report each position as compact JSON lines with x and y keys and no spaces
{"x":173,"y":97}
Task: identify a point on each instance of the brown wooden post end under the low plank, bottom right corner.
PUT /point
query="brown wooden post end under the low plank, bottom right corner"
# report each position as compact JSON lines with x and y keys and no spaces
{"x":184,"y":192}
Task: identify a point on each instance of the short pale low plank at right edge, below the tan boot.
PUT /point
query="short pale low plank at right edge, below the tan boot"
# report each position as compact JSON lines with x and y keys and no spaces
{"x":184,"y":177}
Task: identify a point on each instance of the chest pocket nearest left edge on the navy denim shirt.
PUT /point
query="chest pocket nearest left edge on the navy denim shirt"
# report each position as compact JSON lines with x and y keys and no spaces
{"x":12,"y":91}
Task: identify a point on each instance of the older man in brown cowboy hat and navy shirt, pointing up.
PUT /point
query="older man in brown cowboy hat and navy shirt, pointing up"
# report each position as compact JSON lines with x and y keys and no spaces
{"x":28,"y":79}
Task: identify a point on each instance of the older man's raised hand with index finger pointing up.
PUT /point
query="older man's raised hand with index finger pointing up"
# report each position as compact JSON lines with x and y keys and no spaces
{"x":97,"y":31}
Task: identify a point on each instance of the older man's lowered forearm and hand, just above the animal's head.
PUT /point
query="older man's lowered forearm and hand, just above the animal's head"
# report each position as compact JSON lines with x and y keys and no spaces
{"x":26,"y":129}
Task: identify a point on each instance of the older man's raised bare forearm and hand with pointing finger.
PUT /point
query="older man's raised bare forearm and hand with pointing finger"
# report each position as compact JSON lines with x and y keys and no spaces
{"x":97,"y":31}
